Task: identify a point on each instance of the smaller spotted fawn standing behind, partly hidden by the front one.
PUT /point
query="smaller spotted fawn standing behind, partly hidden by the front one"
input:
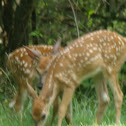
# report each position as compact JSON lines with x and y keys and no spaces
{"x":24,"y":69}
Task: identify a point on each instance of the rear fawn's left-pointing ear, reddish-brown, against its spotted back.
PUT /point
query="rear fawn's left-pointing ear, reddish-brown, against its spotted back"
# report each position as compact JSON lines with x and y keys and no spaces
{"x":35,"y":55}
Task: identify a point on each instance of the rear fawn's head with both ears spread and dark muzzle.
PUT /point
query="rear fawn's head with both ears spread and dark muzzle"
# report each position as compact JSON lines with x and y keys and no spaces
{"x":42,"y":61}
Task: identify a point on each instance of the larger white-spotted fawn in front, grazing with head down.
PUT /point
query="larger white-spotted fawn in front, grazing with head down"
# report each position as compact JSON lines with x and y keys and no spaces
{"x":99,"y":54}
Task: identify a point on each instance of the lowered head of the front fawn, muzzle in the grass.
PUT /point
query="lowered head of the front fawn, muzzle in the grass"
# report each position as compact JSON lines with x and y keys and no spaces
{"x":40,"y":109}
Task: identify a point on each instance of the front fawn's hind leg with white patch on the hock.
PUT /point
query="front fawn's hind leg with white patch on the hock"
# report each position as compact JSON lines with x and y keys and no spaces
{"x":102,"y":94}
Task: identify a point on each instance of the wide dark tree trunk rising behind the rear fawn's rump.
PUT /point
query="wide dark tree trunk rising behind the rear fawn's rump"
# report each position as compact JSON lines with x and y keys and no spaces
{"x":20,"y":36}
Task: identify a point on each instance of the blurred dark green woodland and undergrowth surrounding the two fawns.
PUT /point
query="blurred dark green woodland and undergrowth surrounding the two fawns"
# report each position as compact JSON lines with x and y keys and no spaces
{"x":27,"y":22}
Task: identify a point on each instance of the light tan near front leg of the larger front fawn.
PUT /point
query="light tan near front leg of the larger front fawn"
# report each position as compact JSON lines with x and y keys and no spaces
{"x":66,"y":99}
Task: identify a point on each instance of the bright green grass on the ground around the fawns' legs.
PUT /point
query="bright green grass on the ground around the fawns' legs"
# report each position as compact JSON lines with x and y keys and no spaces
{"x":83,"y":114}
